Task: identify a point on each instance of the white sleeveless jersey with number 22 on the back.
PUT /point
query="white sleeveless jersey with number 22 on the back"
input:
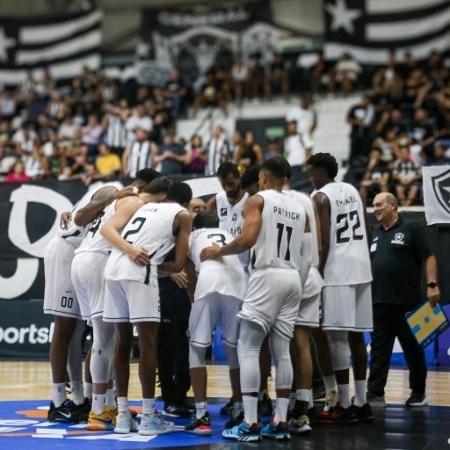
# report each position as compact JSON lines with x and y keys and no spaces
{"x":348,"y":259}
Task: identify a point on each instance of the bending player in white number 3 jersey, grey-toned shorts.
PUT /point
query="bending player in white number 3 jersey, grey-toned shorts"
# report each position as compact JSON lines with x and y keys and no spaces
{"x":217,"y":289}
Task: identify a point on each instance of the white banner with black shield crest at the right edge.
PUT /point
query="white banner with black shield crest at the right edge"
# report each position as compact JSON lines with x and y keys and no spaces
{"x":436,"y":193}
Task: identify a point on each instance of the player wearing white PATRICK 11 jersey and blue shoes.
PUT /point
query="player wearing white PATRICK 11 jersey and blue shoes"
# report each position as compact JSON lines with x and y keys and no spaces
{"x":274,"y":229}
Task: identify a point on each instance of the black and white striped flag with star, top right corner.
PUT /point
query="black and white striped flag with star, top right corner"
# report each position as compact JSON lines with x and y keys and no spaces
{"x":369,"y":28}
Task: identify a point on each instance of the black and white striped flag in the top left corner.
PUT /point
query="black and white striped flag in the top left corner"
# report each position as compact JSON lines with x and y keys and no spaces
{"x":62,"y":44}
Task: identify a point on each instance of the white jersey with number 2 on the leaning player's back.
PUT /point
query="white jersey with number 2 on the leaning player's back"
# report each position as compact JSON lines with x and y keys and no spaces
{"x":151,"y":228}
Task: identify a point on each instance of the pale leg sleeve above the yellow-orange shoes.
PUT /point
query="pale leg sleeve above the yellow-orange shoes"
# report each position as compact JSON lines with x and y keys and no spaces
{"x":102,"y":351}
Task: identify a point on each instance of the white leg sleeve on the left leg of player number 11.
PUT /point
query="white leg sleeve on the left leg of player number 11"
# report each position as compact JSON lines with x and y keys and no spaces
{"x":251,"y":337}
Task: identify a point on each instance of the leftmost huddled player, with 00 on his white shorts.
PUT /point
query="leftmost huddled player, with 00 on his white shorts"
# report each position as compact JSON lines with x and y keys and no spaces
{"x":61,"y":301}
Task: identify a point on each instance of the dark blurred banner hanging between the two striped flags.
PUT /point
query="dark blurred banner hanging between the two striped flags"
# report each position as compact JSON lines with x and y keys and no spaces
{"x":195,"y":36}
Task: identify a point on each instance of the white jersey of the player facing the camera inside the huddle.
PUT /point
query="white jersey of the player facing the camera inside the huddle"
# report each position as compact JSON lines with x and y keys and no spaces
{"x":230,"y":219}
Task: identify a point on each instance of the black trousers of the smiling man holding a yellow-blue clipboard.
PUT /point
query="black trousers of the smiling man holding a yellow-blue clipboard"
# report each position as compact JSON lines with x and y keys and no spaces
{"x":388,"y":323}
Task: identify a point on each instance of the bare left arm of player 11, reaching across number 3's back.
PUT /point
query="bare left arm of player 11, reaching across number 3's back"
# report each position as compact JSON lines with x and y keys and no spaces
{"x":252,"y":212}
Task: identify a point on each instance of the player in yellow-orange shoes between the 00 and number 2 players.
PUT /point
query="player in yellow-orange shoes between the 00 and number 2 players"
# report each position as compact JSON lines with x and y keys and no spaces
{"x":87,"y":278}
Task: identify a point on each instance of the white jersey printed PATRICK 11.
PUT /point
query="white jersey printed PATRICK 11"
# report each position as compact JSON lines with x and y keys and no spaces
{"x":283,"y":225}
